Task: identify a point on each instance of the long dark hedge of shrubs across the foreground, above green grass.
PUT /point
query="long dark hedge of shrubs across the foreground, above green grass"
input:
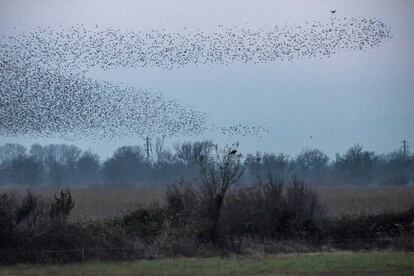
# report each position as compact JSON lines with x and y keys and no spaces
{"x":276,"y":215}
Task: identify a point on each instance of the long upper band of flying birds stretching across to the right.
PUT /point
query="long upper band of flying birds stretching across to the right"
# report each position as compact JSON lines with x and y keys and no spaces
{"x":80,"y":48}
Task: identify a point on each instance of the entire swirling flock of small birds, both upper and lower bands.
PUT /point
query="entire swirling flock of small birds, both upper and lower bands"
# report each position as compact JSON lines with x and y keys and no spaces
{"x":45,"y":89}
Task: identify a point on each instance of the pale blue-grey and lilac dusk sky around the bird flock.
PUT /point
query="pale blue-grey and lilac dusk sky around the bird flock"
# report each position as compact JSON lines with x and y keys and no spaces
{"x":356,"y":97}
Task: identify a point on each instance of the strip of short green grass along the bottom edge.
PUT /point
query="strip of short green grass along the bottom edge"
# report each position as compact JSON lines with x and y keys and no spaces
{"x":338,"y":263}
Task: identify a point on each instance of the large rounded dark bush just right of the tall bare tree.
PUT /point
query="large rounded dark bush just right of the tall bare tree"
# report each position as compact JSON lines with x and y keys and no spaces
{"x":273,"y":211}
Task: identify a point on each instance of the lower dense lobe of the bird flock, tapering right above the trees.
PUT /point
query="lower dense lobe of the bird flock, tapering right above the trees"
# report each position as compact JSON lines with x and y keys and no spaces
{"x":36,"y":102}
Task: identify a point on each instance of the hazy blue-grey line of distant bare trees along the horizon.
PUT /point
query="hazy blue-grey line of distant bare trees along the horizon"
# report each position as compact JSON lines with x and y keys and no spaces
{"x":61,"y":165}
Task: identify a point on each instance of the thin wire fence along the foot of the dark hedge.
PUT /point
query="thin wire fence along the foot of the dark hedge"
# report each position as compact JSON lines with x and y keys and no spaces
{"x":258,"y":248}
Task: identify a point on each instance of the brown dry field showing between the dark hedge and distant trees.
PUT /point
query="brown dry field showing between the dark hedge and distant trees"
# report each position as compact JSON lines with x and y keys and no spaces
{"x":101,"y":203}
